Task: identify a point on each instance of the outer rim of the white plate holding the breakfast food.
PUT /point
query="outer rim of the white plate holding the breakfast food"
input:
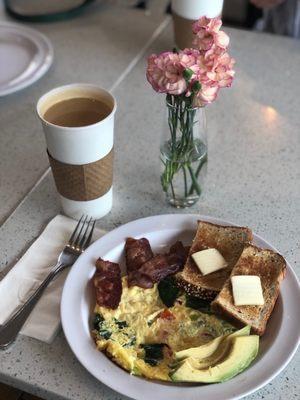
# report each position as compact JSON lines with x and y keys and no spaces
{"x":124,"y":389}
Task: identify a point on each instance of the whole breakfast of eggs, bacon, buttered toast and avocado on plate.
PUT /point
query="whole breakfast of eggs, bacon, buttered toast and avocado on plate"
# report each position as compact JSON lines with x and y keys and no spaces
{"x":158,"y":321}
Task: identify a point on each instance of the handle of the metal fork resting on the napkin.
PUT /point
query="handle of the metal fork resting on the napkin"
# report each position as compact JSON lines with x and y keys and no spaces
{"x":10,"y":329}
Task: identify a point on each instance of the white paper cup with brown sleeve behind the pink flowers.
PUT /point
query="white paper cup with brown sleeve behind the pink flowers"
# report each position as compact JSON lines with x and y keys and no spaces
{"x":186,"y":12}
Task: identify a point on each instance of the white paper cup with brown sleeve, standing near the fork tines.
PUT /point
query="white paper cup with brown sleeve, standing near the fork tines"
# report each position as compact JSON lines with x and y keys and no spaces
{"x":81,"y":157}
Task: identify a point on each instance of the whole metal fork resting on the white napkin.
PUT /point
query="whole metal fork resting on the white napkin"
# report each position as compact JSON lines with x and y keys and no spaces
{"x":78,"y":242}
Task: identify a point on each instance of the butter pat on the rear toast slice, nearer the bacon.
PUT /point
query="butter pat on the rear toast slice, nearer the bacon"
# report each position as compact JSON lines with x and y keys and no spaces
{"x":209,"y":261}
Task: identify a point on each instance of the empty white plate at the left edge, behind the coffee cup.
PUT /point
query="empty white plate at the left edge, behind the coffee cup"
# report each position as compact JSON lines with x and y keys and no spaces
{"x":25,"y":55}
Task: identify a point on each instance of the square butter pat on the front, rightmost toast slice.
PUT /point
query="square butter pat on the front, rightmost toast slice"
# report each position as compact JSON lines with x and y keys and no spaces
{"x":247,"y":290}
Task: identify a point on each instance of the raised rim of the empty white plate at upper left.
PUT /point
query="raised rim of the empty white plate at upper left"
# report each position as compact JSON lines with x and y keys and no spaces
{"x":44,"y":47}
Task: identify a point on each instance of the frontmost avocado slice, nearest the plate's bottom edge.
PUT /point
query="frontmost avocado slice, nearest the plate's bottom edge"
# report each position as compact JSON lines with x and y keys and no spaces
{"x":243,"y":351}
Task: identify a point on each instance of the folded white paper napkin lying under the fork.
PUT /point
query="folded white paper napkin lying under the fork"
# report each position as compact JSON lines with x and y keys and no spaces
{"x":15,"y":288}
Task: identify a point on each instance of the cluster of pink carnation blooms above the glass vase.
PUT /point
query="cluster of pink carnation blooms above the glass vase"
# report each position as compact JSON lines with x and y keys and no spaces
{"x":210,"y":64}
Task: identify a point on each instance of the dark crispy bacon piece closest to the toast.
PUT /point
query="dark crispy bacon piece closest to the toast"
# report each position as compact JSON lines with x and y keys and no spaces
{"x":160,"y":266}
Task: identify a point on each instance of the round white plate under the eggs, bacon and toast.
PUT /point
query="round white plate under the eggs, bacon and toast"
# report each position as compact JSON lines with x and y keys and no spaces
{"x":278,"y":345}
